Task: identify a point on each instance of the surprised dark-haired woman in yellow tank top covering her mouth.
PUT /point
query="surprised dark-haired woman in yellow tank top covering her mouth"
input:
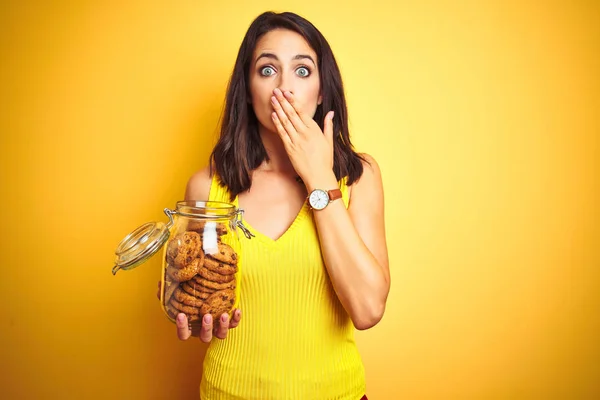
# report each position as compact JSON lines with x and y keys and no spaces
{"x":317,"y":267}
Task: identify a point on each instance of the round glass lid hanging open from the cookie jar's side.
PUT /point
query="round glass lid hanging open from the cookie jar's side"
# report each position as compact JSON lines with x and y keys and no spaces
{"x":140,"y":245}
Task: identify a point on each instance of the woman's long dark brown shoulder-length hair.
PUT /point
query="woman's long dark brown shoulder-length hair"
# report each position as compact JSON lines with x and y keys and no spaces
{"x":239,"y":149}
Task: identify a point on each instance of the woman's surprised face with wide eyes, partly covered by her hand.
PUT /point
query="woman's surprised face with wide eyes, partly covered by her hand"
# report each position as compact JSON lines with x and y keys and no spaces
{"x":283,"y":59}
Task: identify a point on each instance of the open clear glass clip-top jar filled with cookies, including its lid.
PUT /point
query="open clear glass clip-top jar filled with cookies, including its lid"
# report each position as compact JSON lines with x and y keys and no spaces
{"x":201,"y":263}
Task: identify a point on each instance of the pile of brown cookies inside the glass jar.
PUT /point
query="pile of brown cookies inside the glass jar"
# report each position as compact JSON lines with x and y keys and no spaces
{"x":200,"y":273}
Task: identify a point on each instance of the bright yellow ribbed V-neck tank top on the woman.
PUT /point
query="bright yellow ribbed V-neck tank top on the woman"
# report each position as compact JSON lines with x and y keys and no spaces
{"x":295,"y":340}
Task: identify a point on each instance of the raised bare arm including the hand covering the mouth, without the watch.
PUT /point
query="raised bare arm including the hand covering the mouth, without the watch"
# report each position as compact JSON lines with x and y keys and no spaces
{"x":353,"y":239}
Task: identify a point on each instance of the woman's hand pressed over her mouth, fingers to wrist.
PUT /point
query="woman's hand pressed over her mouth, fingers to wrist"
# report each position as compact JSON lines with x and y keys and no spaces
{"x":310,"y":149}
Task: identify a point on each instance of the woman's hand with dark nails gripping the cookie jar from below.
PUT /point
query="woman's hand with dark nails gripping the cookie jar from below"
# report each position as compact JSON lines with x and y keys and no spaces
{"x":209,"y":329}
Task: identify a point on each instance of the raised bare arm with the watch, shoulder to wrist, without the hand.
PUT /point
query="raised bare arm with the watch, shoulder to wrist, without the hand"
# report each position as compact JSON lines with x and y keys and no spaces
{"x":354,"y":246}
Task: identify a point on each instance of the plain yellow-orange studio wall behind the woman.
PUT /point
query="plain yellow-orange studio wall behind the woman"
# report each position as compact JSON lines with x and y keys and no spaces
{"x":484,"y":117}
